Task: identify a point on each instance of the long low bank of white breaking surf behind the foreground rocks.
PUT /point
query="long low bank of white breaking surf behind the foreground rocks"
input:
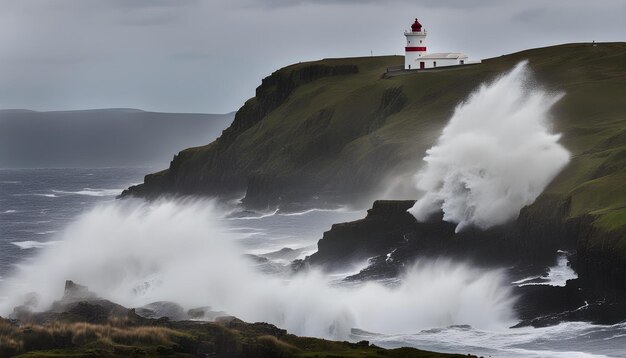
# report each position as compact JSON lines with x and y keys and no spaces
{"x":135,"y":253}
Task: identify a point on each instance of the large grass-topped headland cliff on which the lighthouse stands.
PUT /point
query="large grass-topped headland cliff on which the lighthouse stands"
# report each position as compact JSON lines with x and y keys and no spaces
{"x":338,"y":129}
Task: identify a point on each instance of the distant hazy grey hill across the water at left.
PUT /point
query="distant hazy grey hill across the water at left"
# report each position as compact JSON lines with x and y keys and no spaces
{"x":101,"y":137}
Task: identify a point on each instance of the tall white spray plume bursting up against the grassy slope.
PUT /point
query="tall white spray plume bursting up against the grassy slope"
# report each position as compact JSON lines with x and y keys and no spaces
{"x":495,"y":156}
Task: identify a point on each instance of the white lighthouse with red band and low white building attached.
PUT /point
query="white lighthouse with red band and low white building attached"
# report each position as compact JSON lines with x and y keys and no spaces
{"x":416,"y":56}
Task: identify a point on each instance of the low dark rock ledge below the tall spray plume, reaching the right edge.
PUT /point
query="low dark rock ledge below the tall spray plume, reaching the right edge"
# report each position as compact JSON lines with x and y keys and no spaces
{"x":393,"y":240}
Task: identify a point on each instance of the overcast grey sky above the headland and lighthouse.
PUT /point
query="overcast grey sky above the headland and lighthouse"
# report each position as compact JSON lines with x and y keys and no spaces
{"x":210,"y":55}
